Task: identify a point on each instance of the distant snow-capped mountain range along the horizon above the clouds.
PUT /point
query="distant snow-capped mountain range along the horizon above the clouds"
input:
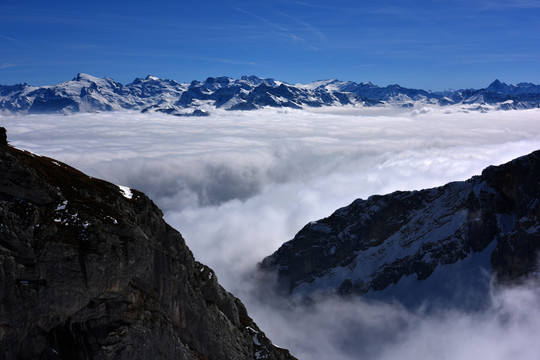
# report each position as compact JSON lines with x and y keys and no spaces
{"x":86,"y":93}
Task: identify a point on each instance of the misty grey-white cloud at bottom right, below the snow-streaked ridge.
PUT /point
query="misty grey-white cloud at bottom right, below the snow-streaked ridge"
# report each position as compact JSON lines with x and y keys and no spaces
{"x":346,"y":329}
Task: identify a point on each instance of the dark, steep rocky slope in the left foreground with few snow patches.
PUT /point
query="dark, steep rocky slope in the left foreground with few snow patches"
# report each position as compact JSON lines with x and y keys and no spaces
{"x":90,"y":270}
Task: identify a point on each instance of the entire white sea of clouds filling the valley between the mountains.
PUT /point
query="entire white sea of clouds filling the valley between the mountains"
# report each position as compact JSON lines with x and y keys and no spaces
{"x":239,"y":184}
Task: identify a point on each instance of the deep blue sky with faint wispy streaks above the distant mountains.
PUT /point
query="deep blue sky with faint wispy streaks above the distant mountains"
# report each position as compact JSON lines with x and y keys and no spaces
{"x":427,"y":44}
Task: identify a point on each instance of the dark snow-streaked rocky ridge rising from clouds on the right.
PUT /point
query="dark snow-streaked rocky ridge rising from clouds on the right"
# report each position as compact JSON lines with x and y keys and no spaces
{"x":374,"y":243}
